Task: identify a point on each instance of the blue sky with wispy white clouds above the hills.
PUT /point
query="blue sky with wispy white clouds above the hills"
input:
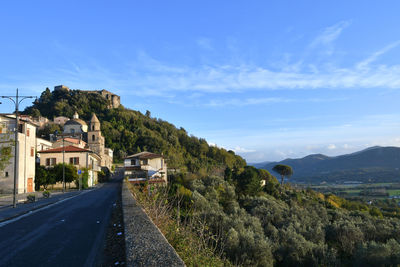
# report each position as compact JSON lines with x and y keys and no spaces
{"x":267,"y":79}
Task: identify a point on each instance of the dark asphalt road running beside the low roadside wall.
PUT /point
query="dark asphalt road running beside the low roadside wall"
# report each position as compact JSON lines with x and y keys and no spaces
{"x":68,"y":233}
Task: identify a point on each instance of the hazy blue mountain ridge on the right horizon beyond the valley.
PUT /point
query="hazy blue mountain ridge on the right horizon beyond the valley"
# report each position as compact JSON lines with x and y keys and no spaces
{"x":374,"y":164}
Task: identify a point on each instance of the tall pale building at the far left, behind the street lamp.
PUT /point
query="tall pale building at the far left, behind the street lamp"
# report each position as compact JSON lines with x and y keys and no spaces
{"x":26,"y":155}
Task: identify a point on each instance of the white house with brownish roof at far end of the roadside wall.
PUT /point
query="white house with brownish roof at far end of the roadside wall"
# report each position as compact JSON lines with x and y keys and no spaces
{"x":146,"y":167}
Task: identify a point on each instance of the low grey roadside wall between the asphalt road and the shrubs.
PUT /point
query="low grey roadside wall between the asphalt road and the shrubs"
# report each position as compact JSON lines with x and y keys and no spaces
{"x":144,"y":243}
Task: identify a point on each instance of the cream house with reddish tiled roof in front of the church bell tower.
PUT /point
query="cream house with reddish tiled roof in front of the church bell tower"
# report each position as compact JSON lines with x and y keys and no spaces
{"x":79,"y":157}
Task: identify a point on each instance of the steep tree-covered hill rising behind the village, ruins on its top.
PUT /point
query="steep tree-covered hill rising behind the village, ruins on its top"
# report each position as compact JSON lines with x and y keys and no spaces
{"x":128,"y":131}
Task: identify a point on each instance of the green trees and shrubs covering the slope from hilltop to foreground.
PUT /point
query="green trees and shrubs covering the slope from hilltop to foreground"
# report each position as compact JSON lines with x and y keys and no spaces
{"x":216,"y":209}
